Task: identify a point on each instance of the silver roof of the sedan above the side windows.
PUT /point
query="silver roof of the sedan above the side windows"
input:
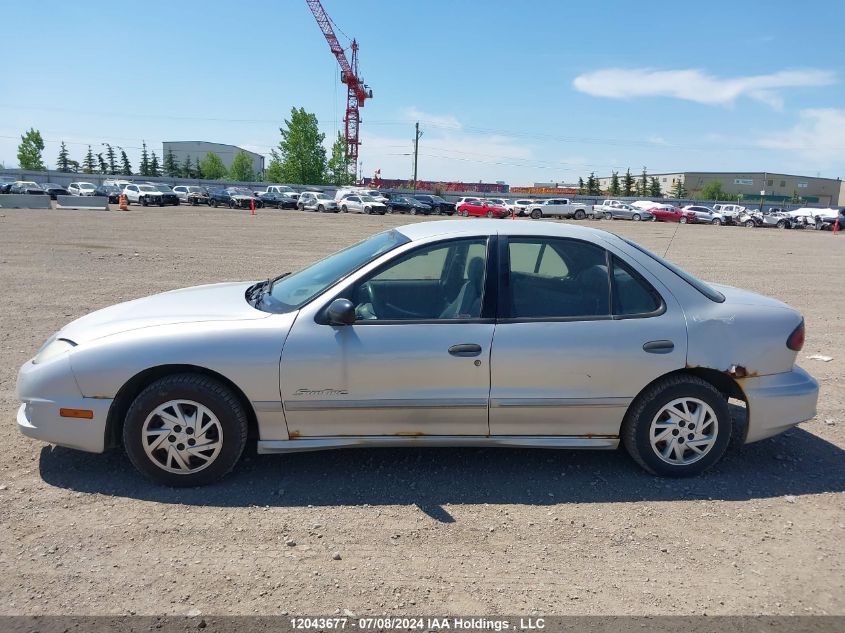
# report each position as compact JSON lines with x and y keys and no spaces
{"x":458,"y":228}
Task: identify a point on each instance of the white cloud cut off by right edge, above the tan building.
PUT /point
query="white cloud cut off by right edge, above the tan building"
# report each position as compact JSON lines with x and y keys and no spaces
{"x":819,"y":136}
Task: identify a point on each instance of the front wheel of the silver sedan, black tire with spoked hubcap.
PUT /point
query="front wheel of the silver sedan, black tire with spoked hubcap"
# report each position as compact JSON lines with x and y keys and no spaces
{"x":185,"y":430}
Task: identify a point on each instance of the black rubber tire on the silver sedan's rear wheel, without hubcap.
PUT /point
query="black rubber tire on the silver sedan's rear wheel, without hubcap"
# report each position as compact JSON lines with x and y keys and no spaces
{"x":636,"y":426}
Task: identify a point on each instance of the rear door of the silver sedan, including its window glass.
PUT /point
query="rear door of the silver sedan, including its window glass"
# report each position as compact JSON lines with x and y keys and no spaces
{"x":581,"y":332}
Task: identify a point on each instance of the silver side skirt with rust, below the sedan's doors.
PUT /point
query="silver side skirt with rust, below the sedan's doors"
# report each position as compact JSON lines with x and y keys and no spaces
{"x":434,"y":441}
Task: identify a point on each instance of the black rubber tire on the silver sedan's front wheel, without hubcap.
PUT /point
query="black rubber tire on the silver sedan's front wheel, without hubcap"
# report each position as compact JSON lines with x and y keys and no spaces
{"x":204,"y":390}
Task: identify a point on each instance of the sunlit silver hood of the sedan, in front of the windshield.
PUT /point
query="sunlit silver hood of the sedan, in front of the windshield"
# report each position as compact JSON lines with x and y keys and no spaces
{"x":214,"y":302}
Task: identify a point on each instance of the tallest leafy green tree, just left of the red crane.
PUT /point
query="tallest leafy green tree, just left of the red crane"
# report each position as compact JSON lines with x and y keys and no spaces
{"x":301,"y":149}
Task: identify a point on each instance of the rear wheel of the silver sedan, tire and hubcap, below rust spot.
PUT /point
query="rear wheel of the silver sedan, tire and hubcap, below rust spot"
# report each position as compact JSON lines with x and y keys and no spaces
{"x":678,"y":427}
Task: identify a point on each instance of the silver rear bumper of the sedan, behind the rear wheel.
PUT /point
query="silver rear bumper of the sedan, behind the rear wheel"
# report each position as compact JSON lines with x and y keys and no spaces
{"x":778,"y":402}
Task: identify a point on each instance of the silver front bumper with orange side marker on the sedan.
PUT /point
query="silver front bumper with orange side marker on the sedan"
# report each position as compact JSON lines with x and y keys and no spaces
{"x":46,"y":388}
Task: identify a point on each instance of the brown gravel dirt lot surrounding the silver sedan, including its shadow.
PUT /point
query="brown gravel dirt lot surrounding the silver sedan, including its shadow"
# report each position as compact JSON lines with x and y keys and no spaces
{"x":445,"y":531}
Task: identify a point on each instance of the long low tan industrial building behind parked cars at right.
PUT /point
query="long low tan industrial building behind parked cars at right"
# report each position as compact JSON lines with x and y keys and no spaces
{"x":770,"y":186}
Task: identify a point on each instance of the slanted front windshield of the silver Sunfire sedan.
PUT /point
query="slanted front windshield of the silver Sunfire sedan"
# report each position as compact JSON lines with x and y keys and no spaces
{"x":292,"y":292}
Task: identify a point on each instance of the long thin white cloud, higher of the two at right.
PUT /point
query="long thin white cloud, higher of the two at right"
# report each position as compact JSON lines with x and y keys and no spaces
{"x":696,"y":85}
